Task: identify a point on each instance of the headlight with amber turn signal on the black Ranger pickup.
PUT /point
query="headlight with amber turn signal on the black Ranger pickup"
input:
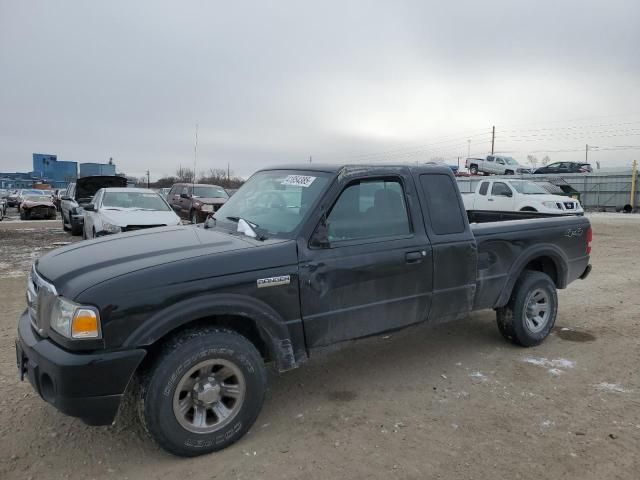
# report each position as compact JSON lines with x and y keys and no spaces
{"x":74,"y":321}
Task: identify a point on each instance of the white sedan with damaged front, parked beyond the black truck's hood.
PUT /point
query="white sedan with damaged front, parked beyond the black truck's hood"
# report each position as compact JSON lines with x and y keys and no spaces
{"x":115,"y":210}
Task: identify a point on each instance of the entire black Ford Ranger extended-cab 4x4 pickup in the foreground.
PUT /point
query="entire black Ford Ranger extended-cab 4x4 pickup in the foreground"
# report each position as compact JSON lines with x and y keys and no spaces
{"x":302,"y":257}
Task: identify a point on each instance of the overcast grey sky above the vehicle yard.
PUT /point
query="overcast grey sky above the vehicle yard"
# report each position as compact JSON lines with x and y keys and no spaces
{"x":275,"y":82}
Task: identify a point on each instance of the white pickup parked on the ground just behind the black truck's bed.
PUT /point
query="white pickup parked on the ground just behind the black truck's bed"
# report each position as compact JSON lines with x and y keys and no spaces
{"x":508,"y":195}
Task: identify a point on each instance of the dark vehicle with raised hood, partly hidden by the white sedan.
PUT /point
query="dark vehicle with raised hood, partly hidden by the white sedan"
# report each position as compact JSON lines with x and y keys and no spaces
{"x":79,"y":194}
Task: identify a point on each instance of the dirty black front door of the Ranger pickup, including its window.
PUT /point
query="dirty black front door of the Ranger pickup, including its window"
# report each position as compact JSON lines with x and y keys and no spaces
{"x":373,"y":273}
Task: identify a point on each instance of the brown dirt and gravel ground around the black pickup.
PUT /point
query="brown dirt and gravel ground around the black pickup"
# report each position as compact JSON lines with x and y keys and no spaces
{"x":454,"y":401}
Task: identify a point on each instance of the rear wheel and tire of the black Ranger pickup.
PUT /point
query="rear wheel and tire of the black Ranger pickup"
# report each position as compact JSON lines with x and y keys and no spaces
{"x":531,"y":312}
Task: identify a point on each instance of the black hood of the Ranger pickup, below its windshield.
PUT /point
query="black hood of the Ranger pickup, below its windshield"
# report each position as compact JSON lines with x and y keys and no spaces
{"x":77,"y":267}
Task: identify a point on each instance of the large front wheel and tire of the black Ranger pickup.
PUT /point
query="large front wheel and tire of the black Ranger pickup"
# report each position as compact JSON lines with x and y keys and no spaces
{"x":203,"y":392}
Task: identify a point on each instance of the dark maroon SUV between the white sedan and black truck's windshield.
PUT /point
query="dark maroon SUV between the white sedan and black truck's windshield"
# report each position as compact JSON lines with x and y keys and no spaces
{"x":196,"y":202}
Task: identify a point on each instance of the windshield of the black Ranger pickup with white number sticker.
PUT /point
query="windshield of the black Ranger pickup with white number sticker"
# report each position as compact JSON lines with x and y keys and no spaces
{"x":274,"y":202}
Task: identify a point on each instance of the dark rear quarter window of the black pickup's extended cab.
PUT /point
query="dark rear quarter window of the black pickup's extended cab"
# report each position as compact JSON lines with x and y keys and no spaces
{"x":443,"y":204}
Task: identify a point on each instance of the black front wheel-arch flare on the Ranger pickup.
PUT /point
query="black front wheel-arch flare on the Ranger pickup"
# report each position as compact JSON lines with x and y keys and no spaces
{"x":272,"y":328}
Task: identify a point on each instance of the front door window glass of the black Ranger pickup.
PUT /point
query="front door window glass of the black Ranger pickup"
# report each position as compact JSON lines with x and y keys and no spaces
{"x":369,"y":209}
